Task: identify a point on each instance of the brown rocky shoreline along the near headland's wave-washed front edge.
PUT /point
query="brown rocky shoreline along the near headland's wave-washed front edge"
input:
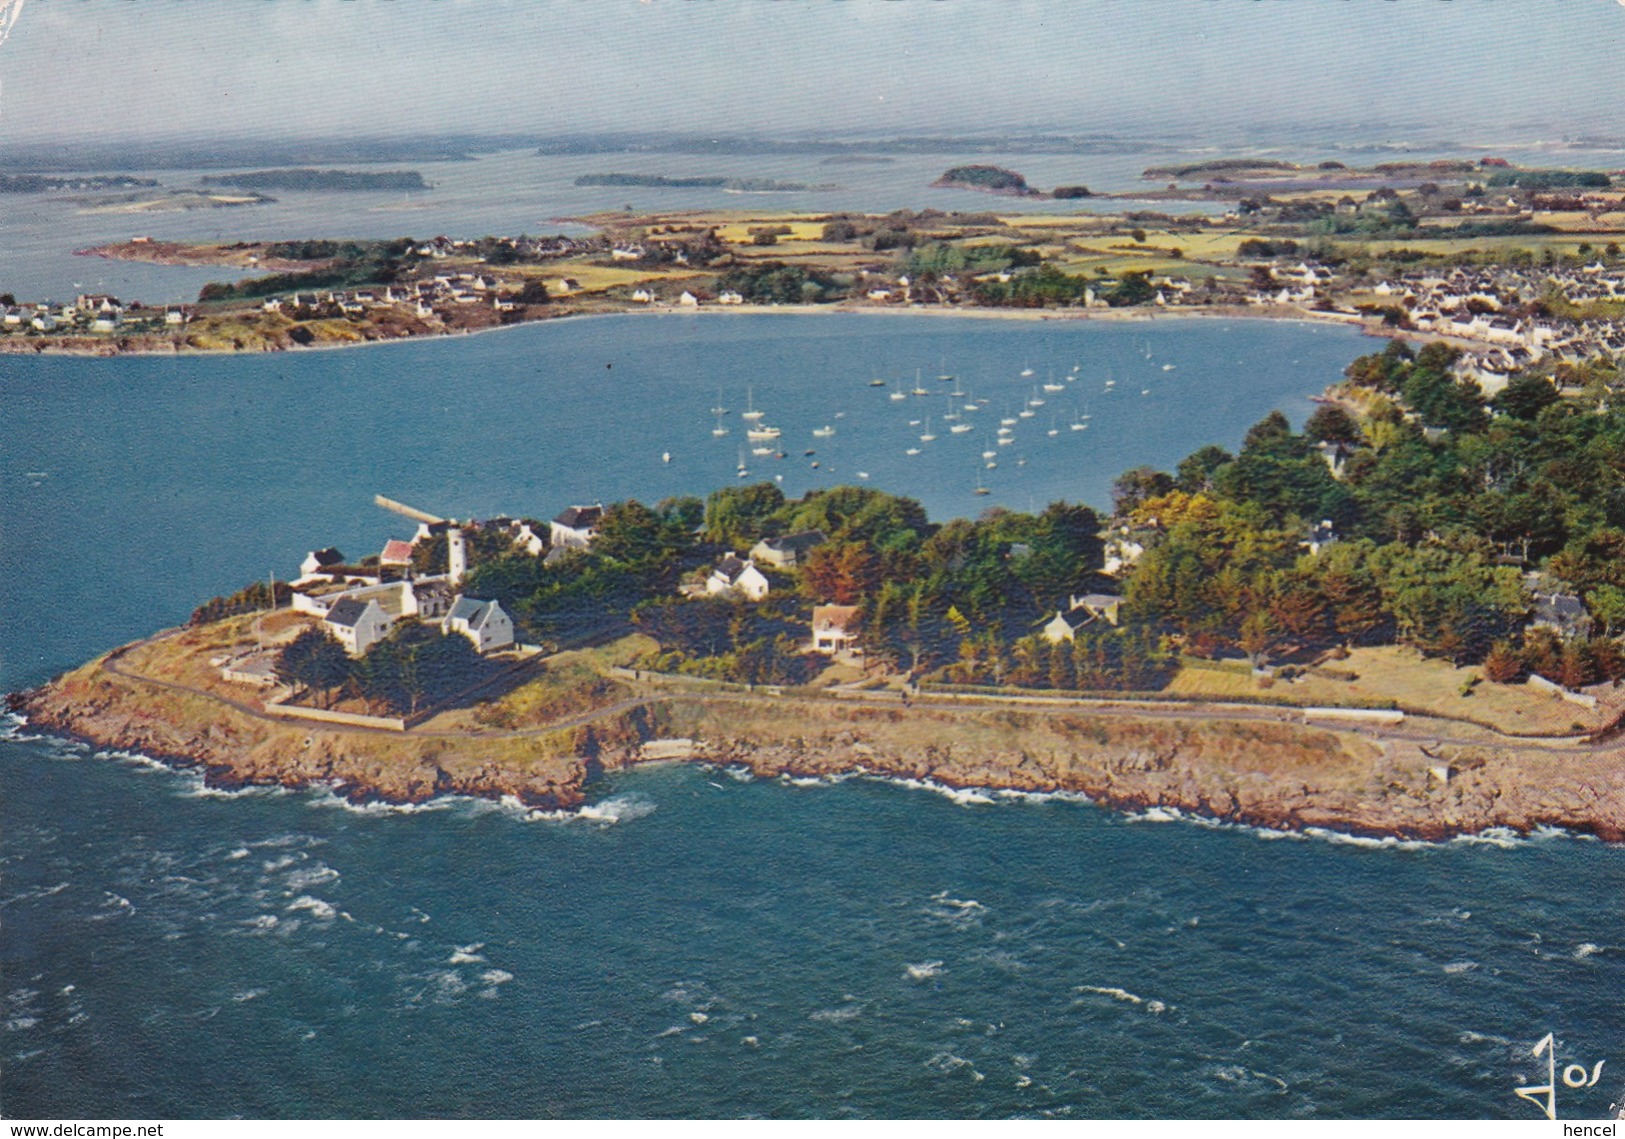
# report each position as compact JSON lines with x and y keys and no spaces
{"x":1257,"y":773}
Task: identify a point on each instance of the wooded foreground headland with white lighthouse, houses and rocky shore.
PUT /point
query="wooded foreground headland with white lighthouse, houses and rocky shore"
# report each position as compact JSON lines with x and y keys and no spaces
{"x":1377,"y":625}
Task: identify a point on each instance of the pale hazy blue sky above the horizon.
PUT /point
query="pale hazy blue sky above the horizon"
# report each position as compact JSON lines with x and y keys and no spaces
{"x":157,"y":69}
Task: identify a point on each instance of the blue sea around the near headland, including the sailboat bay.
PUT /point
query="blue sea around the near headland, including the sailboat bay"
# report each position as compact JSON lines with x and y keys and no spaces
{"x":696,"y":943}
